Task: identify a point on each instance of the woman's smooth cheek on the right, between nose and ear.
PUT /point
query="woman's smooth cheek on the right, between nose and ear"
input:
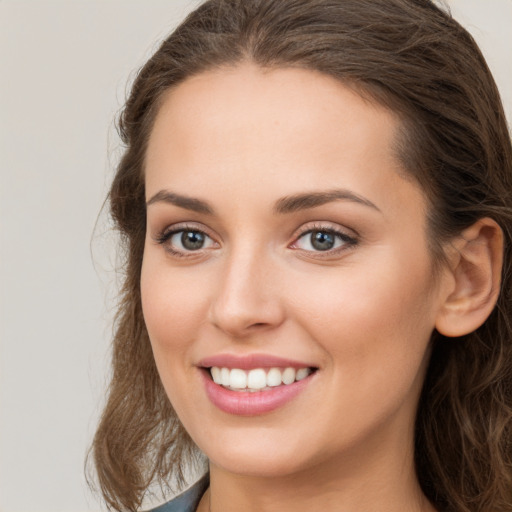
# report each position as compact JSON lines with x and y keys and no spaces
{"x":373,"y":321}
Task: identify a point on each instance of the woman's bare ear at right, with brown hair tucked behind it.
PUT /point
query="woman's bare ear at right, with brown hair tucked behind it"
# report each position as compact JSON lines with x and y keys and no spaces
{"x":475,"y":260}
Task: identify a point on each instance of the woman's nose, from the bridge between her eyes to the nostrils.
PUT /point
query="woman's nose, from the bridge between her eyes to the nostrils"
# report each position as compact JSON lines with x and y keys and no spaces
{"x":248,"y":298}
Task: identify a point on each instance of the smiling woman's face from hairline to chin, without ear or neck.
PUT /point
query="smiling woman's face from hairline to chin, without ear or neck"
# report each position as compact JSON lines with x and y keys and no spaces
{"x":281,"y":233}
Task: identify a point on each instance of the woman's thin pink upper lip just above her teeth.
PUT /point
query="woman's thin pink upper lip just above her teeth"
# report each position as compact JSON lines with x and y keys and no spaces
{"x":250,"y":361}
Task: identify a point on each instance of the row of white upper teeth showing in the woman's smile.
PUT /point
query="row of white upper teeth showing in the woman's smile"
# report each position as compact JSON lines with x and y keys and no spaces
{"x":258,"y":378}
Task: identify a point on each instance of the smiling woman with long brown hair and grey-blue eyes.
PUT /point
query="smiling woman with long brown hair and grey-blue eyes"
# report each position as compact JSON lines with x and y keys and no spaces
{"x":315,"y":199}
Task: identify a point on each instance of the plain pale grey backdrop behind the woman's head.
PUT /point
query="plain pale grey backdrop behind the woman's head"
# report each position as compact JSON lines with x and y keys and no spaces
{"x":64,"y":68}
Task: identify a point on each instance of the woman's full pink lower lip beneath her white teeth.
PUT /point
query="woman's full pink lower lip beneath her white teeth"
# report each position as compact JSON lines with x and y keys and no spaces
{"x":244,"y":403}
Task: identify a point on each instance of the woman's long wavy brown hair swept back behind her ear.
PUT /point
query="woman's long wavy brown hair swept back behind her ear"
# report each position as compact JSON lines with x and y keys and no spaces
{"x":412,"y":57}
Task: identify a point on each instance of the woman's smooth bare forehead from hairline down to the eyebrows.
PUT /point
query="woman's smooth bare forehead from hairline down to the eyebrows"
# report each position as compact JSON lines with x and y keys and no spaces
{"x":272,"y":132}
